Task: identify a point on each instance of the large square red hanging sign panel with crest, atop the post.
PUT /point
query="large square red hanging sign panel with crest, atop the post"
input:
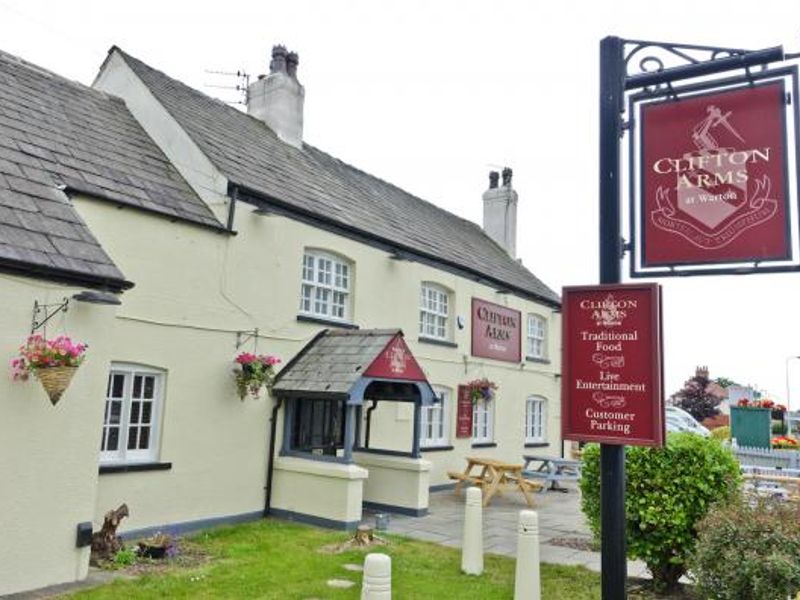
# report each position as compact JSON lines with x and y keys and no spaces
{"x":713,"y":172}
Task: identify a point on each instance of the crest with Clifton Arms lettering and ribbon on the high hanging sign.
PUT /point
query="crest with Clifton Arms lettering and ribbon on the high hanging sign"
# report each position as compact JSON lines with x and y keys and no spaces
{"x":717,"y":194}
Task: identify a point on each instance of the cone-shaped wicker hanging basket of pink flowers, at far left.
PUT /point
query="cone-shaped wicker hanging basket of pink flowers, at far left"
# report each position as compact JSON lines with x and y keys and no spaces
{"x":53,"y":362}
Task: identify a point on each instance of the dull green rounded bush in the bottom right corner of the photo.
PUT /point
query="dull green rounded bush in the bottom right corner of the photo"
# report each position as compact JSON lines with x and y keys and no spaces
{"x":748,"y":552}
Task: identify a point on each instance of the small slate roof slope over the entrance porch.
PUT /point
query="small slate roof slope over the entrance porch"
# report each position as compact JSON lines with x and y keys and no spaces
{"x":333,"y":361}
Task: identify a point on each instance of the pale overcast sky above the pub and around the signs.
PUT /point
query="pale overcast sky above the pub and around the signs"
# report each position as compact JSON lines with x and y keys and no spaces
{"x":431,"y":95}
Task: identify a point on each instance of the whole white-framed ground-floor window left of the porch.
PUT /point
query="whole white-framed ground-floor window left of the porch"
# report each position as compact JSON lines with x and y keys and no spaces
{"x":134,"y":398}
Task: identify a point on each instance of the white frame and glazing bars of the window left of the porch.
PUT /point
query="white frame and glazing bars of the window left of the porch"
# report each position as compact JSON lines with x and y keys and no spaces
{"x":122,"y":454}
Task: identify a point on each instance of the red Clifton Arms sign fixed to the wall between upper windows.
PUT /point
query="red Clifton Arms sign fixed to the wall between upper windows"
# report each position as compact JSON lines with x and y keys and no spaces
{"x":496,"y":331}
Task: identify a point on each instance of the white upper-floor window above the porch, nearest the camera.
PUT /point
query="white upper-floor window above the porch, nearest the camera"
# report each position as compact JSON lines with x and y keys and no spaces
{"x":325,"y":290}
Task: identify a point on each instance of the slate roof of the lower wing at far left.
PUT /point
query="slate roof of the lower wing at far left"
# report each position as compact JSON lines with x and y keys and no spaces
{"x":56,"y":136}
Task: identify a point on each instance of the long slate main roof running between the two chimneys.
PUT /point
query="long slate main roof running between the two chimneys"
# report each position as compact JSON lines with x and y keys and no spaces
{"x":250,"y":155}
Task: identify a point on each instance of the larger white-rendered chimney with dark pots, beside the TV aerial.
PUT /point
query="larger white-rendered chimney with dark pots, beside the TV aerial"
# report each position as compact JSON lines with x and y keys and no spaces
{"x":277,"y":98}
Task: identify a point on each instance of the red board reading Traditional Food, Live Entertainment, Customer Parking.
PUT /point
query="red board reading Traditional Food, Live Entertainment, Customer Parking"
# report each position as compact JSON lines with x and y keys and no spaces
{"x":612,"y":370}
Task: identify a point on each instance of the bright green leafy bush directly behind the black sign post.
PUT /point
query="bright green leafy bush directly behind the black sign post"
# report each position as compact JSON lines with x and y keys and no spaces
{"x":669,"y":490}
